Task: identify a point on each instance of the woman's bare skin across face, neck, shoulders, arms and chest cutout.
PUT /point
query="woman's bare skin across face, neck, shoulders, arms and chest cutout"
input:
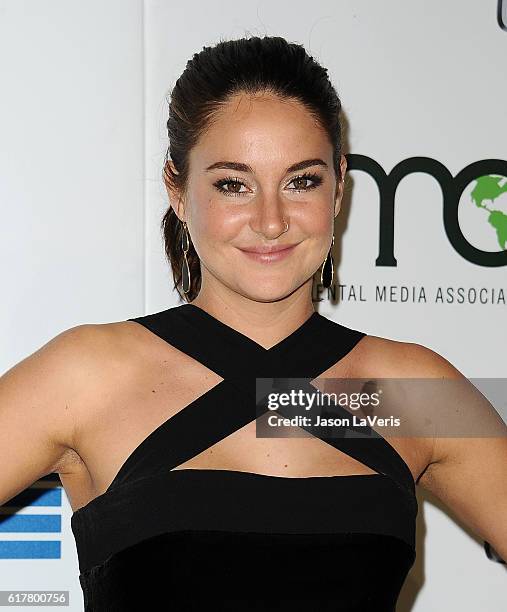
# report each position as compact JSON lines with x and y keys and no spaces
{"x":61,"y":407}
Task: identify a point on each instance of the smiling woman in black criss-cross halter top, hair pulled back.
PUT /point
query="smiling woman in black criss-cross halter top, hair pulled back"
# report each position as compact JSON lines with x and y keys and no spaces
{"x":150,"y":422}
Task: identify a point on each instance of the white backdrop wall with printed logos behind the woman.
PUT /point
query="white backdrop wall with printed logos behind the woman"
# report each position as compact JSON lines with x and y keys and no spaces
{"x":82,"y":125}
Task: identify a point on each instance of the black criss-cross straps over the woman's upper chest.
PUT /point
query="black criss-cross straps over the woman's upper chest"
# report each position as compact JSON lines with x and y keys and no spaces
{"x":310,"y":350}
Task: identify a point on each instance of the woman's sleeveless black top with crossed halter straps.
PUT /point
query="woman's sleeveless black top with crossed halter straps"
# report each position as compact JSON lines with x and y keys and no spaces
{"x":186,"y":539}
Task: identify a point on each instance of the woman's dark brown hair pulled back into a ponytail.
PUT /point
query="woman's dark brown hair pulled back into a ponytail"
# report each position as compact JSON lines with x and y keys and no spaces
{"x":250,"y":65}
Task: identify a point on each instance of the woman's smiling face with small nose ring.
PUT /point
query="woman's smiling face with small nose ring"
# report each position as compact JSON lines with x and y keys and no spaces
{"x":241,"y":191}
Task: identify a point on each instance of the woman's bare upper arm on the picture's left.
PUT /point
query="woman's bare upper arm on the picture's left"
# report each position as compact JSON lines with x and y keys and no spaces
{"x":39,"y":399}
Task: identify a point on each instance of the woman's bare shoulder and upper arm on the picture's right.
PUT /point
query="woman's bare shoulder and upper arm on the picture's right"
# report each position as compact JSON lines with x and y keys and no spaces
{"x":467,"y":472}
